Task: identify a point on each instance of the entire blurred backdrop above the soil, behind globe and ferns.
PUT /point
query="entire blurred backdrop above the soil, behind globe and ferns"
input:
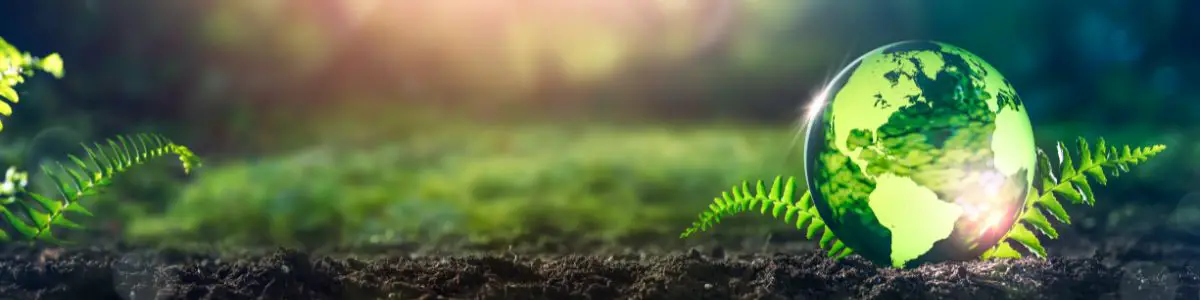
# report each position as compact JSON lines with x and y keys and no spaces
{"x":493,"y":123}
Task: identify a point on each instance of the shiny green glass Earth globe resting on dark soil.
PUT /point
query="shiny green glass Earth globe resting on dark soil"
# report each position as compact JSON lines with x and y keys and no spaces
{"x":919,"y":152}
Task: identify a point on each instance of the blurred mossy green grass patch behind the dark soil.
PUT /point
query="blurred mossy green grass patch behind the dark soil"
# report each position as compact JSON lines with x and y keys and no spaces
{"x":472,"y":183}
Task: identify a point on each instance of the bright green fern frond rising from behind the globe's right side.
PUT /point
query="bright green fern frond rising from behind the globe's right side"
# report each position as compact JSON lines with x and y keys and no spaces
{"x":1071,"y":183}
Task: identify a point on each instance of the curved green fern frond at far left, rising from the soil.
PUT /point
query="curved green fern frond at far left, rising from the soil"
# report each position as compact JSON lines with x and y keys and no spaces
{"x":81,"y":178}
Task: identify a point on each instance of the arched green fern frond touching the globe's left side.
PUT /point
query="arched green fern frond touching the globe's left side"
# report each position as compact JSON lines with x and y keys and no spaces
{"x":781,"y":201}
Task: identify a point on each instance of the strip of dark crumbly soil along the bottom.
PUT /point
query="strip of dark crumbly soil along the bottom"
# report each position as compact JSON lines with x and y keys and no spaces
{"x":107,"y":273}
